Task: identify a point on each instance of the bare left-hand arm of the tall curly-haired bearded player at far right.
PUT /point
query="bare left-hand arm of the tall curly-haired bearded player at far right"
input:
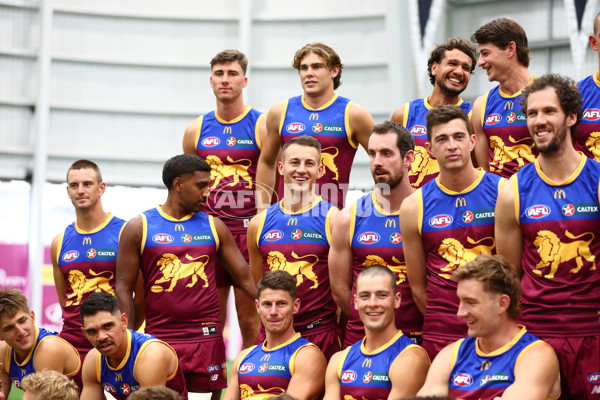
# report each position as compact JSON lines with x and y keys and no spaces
{"x":509,"y":237}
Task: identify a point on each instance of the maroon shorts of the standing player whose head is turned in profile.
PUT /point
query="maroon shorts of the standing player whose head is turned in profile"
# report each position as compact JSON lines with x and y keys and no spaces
{"x":203,"y":364}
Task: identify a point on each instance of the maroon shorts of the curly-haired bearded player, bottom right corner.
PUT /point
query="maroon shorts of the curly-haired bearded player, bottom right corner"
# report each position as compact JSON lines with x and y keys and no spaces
{"x":579,"y":360}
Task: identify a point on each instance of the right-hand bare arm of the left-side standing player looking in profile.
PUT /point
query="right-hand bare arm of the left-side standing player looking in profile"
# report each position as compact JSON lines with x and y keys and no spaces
{"x":233,"y":260}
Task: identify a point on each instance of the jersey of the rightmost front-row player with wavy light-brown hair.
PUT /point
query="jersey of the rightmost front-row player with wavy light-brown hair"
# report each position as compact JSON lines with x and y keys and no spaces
{"x":479,"y":376}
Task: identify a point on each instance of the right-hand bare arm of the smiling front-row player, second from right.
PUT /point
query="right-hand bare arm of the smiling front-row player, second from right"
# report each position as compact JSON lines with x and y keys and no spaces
{"x":405,"y":385}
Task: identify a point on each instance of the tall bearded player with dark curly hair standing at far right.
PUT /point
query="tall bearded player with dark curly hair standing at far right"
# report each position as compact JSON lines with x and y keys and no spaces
{"x":547,"y":225}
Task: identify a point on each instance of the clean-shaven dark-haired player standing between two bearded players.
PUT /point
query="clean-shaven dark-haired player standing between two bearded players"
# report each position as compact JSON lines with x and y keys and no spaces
{"x":447,"y":223}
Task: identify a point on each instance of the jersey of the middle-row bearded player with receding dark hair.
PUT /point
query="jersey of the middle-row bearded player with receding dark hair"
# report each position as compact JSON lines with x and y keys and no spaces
{"x":376,"y":240}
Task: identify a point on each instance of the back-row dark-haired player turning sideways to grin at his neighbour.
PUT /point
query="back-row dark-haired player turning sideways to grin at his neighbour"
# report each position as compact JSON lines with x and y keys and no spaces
{"x":503,"y":143}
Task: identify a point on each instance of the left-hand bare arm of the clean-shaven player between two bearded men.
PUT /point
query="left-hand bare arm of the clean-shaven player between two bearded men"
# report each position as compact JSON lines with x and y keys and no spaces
{"x":415,"y":257}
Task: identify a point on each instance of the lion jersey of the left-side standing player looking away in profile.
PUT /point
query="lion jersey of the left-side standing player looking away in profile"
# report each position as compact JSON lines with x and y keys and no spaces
{"x":178,"y":264}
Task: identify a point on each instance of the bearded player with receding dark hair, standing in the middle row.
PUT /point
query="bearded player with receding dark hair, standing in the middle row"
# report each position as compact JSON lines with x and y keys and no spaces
{"x":376,"y":216}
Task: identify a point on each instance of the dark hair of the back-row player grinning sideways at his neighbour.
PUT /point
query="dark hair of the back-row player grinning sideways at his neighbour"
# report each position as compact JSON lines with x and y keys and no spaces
{"x":500,"y":32}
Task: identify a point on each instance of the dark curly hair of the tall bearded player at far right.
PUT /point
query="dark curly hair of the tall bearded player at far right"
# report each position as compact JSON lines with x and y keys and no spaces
{"x":566,"y":91}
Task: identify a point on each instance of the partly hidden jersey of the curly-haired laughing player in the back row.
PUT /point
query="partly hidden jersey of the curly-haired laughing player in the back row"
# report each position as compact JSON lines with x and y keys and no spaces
{"x":423,"y":168}
